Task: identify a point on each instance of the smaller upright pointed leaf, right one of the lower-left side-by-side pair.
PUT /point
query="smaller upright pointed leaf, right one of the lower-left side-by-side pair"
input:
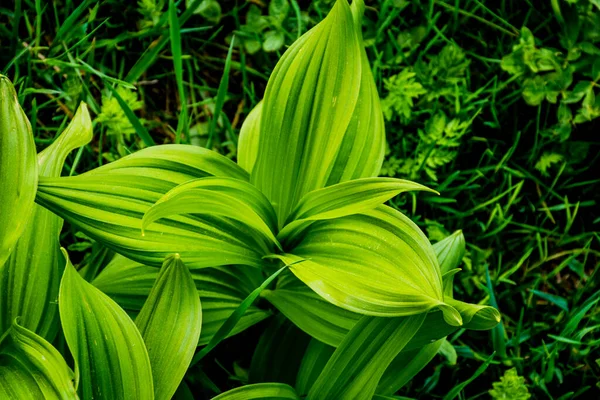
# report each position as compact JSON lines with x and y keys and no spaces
{"x":170,"y":322}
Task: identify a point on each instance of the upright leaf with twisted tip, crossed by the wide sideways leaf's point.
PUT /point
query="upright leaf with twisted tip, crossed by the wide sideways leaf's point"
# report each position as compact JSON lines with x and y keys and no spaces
{"x":30,"y":278}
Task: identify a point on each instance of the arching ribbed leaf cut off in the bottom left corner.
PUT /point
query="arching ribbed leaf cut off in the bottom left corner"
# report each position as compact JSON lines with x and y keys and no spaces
{"x":30,"y":368}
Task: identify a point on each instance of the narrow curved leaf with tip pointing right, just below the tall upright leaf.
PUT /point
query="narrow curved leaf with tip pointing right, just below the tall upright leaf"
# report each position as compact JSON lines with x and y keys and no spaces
{"x":342,"y":199}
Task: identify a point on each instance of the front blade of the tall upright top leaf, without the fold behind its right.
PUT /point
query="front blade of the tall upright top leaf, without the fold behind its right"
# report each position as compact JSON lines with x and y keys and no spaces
{"x":308,"y":105}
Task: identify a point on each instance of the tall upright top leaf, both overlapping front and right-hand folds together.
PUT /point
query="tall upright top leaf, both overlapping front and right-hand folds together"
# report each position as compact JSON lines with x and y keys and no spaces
{"x":308,"y":137}
